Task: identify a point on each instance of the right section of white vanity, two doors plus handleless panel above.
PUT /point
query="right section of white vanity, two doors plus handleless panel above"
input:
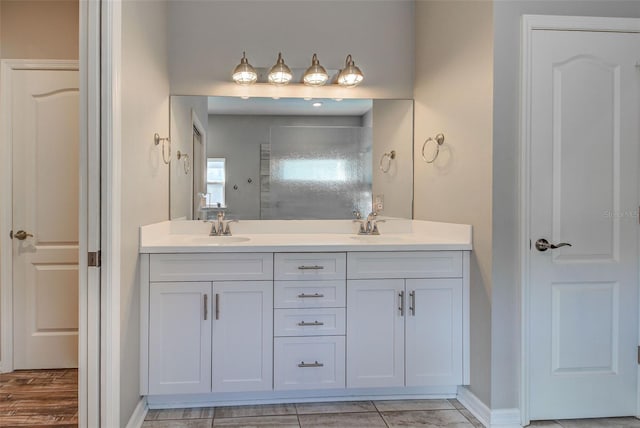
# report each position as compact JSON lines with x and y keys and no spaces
{"x":405,"y":327}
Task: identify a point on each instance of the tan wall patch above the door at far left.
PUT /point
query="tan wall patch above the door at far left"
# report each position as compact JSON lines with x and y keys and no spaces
{"x":39,"y":29}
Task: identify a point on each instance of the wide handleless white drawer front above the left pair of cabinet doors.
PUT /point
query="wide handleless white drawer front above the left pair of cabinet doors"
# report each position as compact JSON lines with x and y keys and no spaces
{"x":210,"y":267}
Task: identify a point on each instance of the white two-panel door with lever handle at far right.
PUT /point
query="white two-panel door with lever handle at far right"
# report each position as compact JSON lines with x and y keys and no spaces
{"x":584,"y":191}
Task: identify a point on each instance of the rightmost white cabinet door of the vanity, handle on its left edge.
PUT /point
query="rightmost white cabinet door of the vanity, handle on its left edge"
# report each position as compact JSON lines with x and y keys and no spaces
{"x":434,"y":332}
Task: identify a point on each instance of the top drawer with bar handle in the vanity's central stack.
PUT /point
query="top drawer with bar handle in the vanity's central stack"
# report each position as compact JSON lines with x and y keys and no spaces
{"x":303,"y":266}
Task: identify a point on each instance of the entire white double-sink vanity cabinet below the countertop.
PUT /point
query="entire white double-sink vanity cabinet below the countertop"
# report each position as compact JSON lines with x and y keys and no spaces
{"x":307,"y":324}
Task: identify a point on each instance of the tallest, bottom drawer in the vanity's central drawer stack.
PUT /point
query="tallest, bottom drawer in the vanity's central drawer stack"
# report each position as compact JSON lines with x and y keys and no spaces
{"x":309,"y":362}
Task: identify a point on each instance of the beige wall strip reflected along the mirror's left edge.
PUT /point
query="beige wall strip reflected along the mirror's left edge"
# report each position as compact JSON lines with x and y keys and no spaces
{"x":181,"y":184}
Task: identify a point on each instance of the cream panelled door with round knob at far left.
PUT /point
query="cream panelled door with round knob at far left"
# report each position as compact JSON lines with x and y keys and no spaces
{"x":45,"y":150}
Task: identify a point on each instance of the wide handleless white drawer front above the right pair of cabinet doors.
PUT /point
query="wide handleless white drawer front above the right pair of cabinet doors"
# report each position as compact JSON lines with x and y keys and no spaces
{"x":405,"y":264}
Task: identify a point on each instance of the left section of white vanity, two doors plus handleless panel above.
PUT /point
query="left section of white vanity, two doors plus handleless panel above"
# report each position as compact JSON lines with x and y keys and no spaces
{"x":210,"y":331}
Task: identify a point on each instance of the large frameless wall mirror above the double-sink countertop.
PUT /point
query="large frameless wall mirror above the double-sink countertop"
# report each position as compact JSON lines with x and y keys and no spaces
{"x":293,"y":158}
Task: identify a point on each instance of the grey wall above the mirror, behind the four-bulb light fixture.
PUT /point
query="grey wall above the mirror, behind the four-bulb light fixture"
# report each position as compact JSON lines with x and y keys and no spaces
{"x":207,"y":40}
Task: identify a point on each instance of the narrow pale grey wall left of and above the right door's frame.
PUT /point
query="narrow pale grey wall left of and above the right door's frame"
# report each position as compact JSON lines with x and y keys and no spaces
{"x":505,"y":295}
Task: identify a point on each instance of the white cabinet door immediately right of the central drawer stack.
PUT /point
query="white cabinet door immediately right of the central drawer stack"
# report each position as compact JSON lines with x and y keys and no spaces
{"x":375,"y":333}
